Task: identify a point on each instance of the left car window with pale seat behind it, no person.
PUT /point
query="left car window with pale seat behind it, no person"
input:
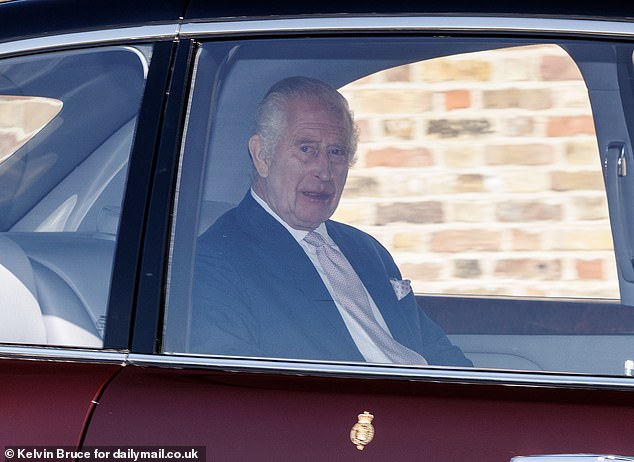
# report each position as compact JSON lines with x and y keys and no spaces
{"x":67,"y":121}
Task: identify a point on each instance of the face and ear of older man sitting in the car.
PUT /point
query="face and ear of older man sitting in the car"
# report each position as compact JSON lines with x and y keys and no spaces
{"x":303,"y":180}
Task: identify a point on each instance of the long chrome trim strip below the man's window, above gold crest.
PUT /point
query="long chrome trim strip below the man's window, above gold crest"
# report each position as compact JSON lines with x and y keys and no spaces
{"x":369,"y":371}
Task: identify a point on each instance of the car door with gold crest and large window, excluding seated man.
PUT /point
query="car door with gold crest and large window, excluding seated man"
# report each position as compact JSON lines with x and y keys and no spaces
{"x":485,"y":152}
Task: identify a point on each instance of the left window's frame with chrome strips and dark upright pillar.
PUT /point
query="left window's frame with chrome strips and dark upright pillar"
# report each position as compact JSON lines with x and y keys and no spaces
{"x":120,"y":309}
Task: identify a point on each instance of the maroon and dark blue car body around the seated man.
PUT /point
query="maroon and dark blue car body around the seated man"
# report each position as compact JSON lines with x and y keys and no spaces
{"x":131,"y":383}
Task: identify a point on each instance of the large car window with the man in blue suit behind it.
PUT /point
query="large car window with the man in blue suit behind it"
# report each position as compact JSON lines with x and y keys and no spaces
{"x":474,"y":212}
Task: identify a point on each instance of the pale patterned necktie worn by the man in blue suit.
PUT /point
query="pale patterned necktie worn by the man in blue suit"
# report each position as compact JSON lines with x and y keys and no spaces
{"x":351,"y":295}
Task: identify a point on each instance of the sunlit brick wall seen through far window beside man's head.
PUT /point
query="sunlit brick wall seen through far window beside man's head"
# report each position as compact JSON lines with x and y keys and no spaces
{"x":481,"y":174}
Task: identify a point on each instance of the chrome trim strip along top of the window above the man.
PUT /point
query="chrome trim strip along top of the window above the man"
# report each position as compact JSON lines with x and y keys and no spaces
{"x":416,"y":23}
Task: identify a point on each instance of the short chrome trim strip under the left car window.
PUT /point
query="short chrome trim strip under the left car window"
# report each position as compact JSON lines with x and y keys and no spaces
{"x":38,"y":353}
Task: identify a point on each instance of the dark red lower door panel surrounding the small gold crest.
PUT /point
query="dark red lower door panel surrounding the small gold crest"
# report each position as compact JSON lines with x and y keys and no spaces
{"x":250,"y":416}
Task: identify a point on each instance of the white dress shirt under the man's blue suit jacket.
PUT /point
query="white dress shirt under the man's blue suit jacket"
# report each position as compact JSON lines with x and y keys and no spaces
{"x":364,"y":343}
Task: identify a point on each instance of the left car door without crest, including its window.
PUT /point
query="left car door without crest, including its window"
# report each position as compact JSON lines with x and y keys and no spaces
{"x":72,"y":108}
